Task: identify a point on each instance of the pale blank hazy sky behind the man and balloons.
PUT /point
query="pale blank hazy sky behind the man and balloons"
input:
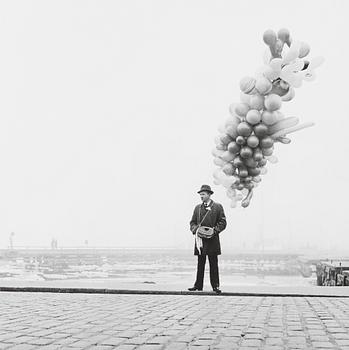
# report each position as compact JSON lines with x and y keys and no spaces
{"x":109,"y":110}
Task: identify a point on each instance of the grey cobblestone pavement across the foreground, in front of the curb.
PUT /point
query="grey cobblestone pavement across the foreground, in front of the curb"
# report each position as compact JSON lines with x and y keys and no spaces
{"x":173,"y":322}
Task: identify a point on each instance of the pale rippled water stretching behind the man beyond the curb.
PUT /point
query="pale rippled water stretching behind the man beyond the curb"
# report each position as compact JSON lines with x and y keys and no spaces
{"x":146,"y":269}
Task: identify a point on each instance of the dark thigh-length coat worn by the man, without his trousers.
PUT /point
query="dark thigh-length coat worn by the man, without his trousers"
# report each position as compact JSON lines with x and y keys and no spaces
{"x":216,"y":219}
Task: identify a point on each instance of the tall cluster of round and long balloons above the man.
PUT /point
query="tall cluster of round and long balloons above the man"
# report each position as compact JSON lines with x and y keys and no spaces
{"x":247,"y":138}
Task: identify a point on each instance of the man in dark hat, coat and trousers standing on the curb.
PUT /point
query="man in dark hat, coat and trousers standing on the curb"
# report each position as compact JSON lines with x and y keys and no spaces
{"x":209,"y":214}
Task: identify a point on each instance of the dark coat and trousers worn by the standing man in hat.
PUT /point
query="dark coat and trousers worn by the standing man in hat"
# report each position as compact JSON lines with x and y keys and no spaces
{"x":211,"y":247}
